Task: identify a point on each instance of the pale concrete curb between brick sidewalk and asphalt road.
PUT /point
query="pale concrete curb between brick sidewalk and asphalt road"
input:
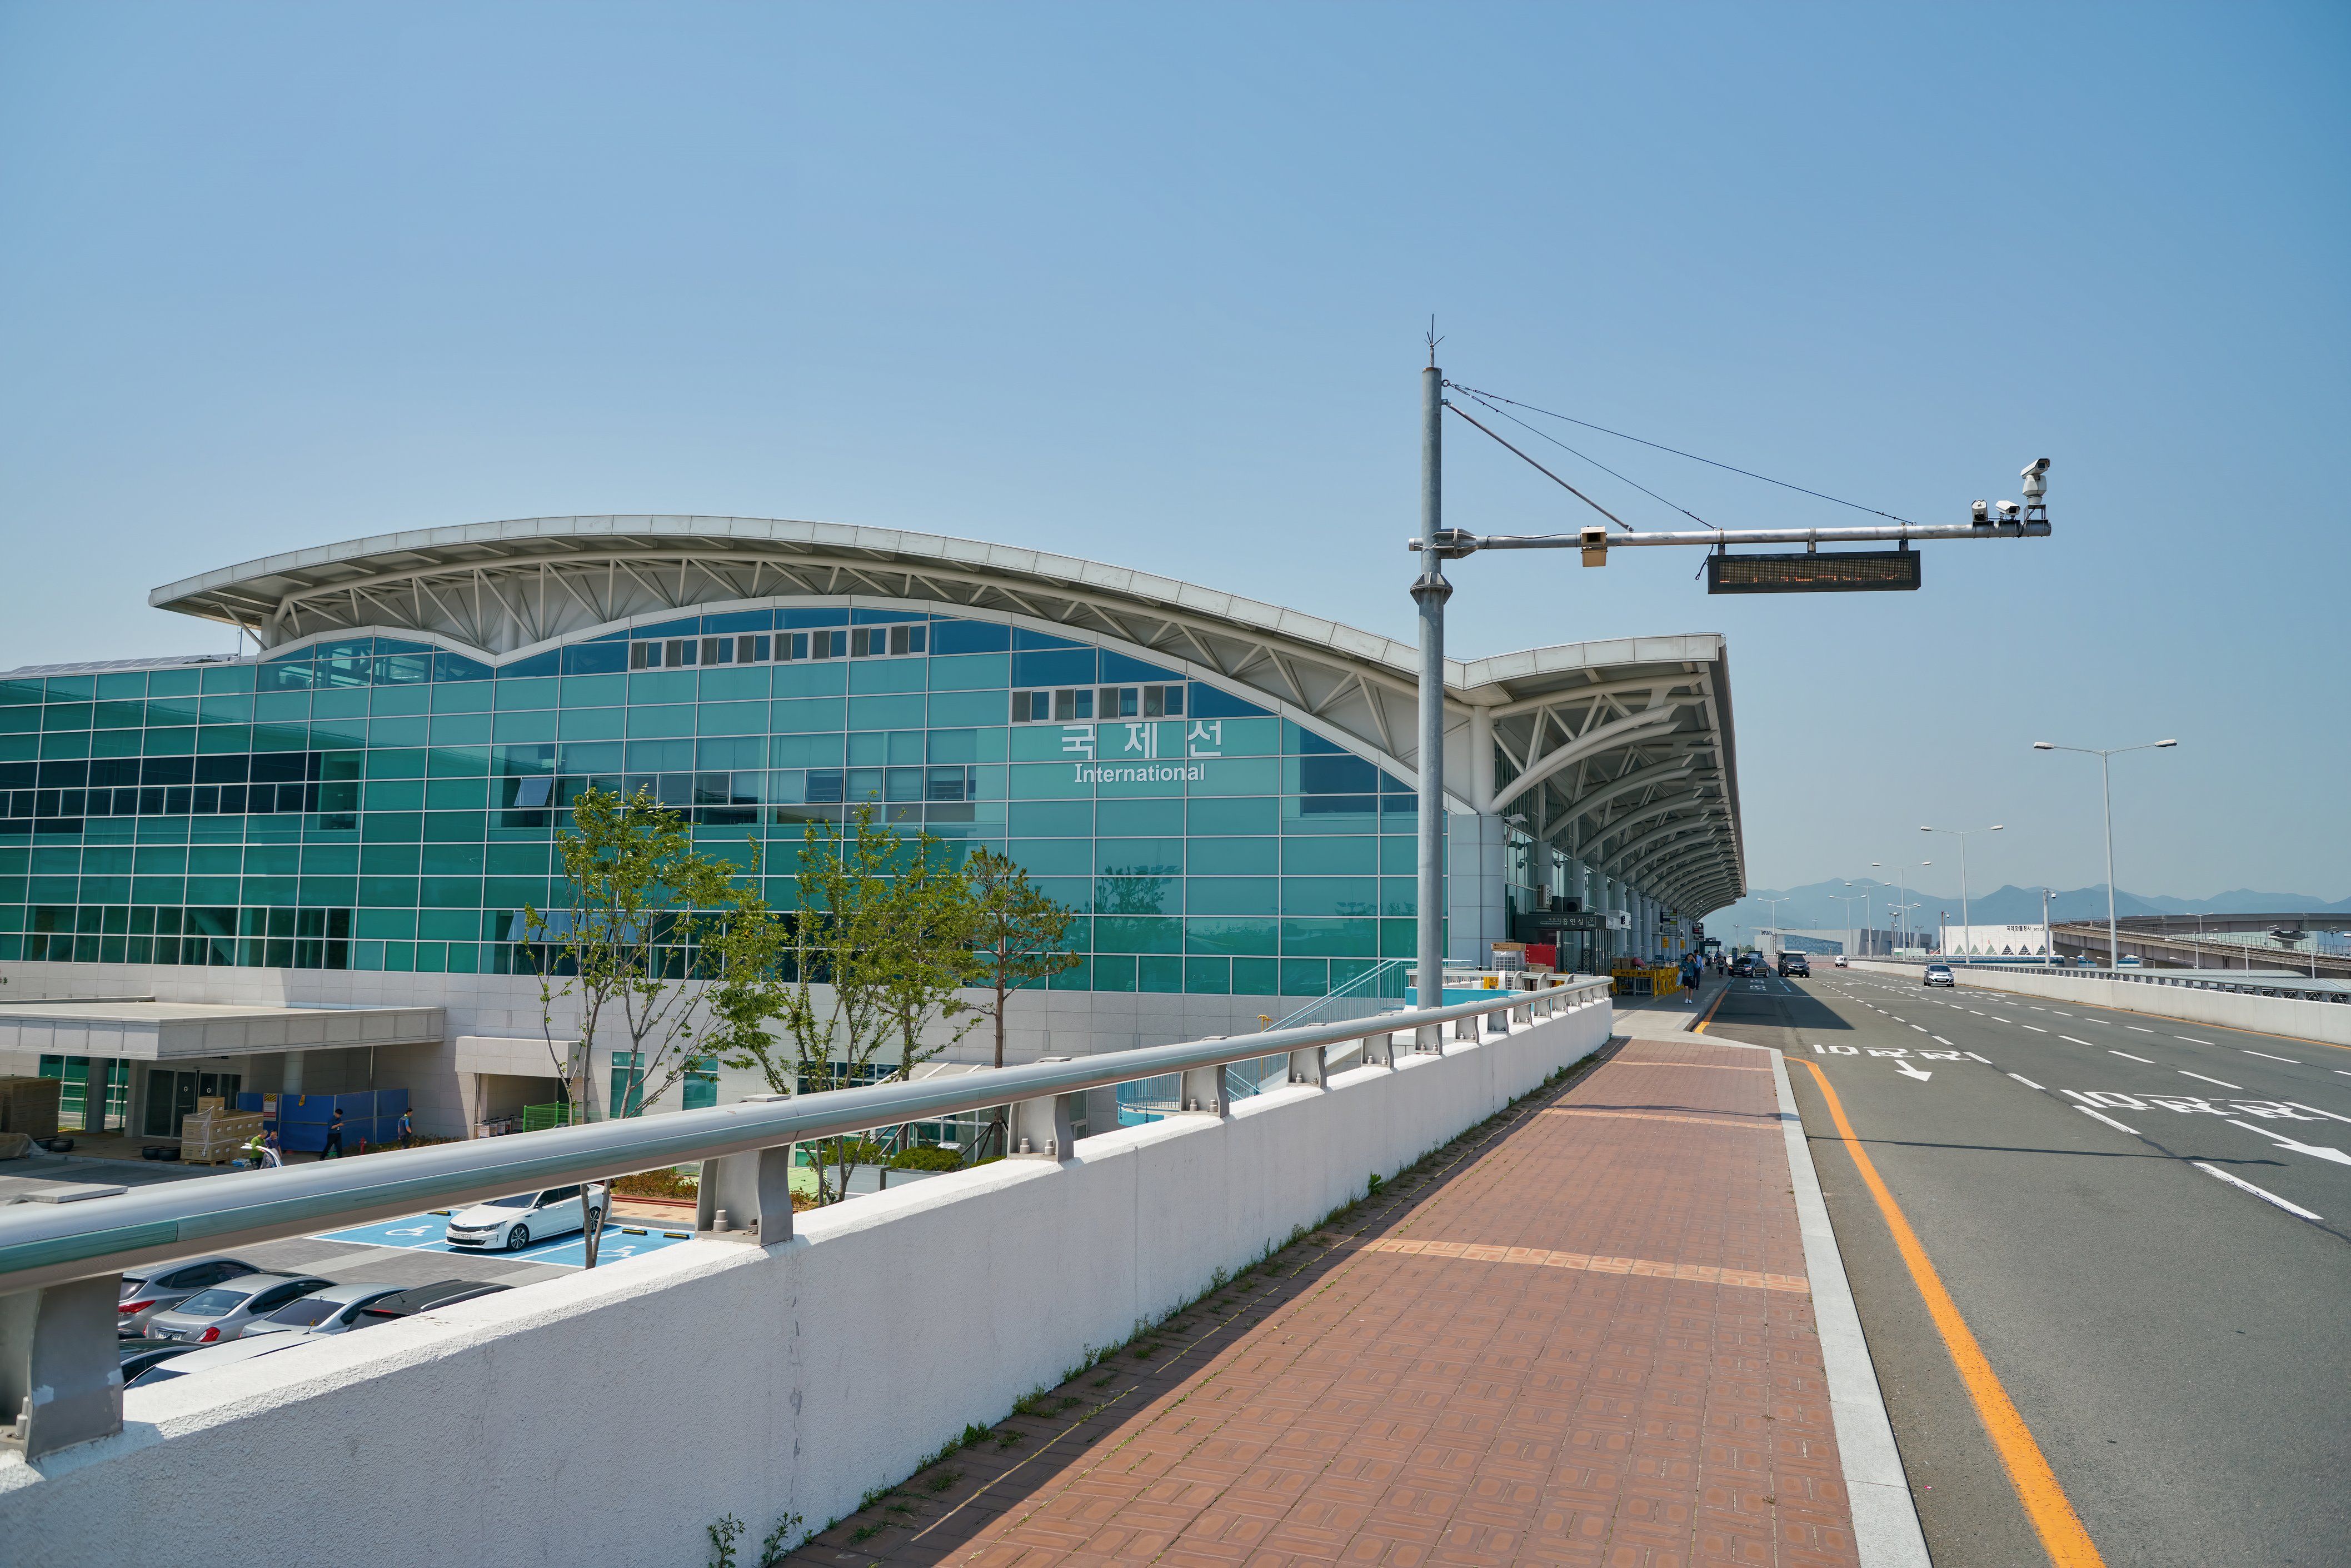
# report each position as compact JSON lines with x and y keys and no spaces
{"x":1884,"y":1513}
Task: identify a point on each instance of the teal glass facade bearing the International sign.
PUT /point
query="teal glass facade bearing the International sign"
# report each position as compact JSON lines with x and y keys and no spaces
{"x":373,"y":803}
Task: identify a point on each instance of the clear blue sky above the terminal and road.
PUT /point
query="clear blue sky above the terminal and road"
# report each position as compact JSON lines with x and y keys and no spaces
{"x":1148,"y":286}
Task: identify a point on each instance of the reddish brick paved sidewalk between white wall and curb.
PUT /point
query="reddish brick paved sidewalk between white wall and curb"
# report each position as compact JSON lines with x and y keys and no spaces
{"x":1581,"y":1336}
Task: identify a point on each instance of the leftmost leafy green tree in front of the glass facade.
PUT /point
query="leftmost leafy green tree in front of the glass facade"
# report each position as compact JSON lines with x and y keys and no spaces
{"x":617,"y":953}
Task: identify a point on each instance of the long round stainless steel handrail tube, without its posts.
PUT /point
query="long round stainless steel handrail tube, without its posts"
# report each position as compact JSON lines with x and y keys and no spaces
{"x":55,"y":1245}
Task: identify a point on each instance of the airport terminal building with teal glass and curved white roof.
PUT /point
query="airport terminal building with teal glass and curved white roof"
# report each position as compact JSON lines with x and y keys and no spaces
{"x":304,"y":869}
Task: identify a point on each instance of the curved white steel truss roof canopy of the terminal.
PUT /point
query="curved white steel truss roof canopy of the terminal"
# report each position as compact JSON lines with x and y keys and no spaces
{"x":1619,"y":753}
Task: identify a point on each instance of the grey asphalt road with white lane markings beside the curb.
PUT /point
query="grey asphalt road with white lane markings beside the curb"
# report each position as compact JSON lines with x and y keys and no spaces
{"x":2178,"y":1343}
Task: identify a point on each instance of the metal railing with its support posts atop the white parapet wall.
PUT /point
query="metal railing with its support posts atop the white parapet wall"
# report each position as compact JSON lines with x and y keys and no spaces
{"x":62,"y":1264}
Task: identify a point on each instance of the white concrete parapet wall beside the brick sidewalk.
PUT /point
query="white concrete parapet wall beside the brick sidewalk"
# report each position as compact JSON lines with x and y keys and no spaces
{"x":610,"y":1416}
